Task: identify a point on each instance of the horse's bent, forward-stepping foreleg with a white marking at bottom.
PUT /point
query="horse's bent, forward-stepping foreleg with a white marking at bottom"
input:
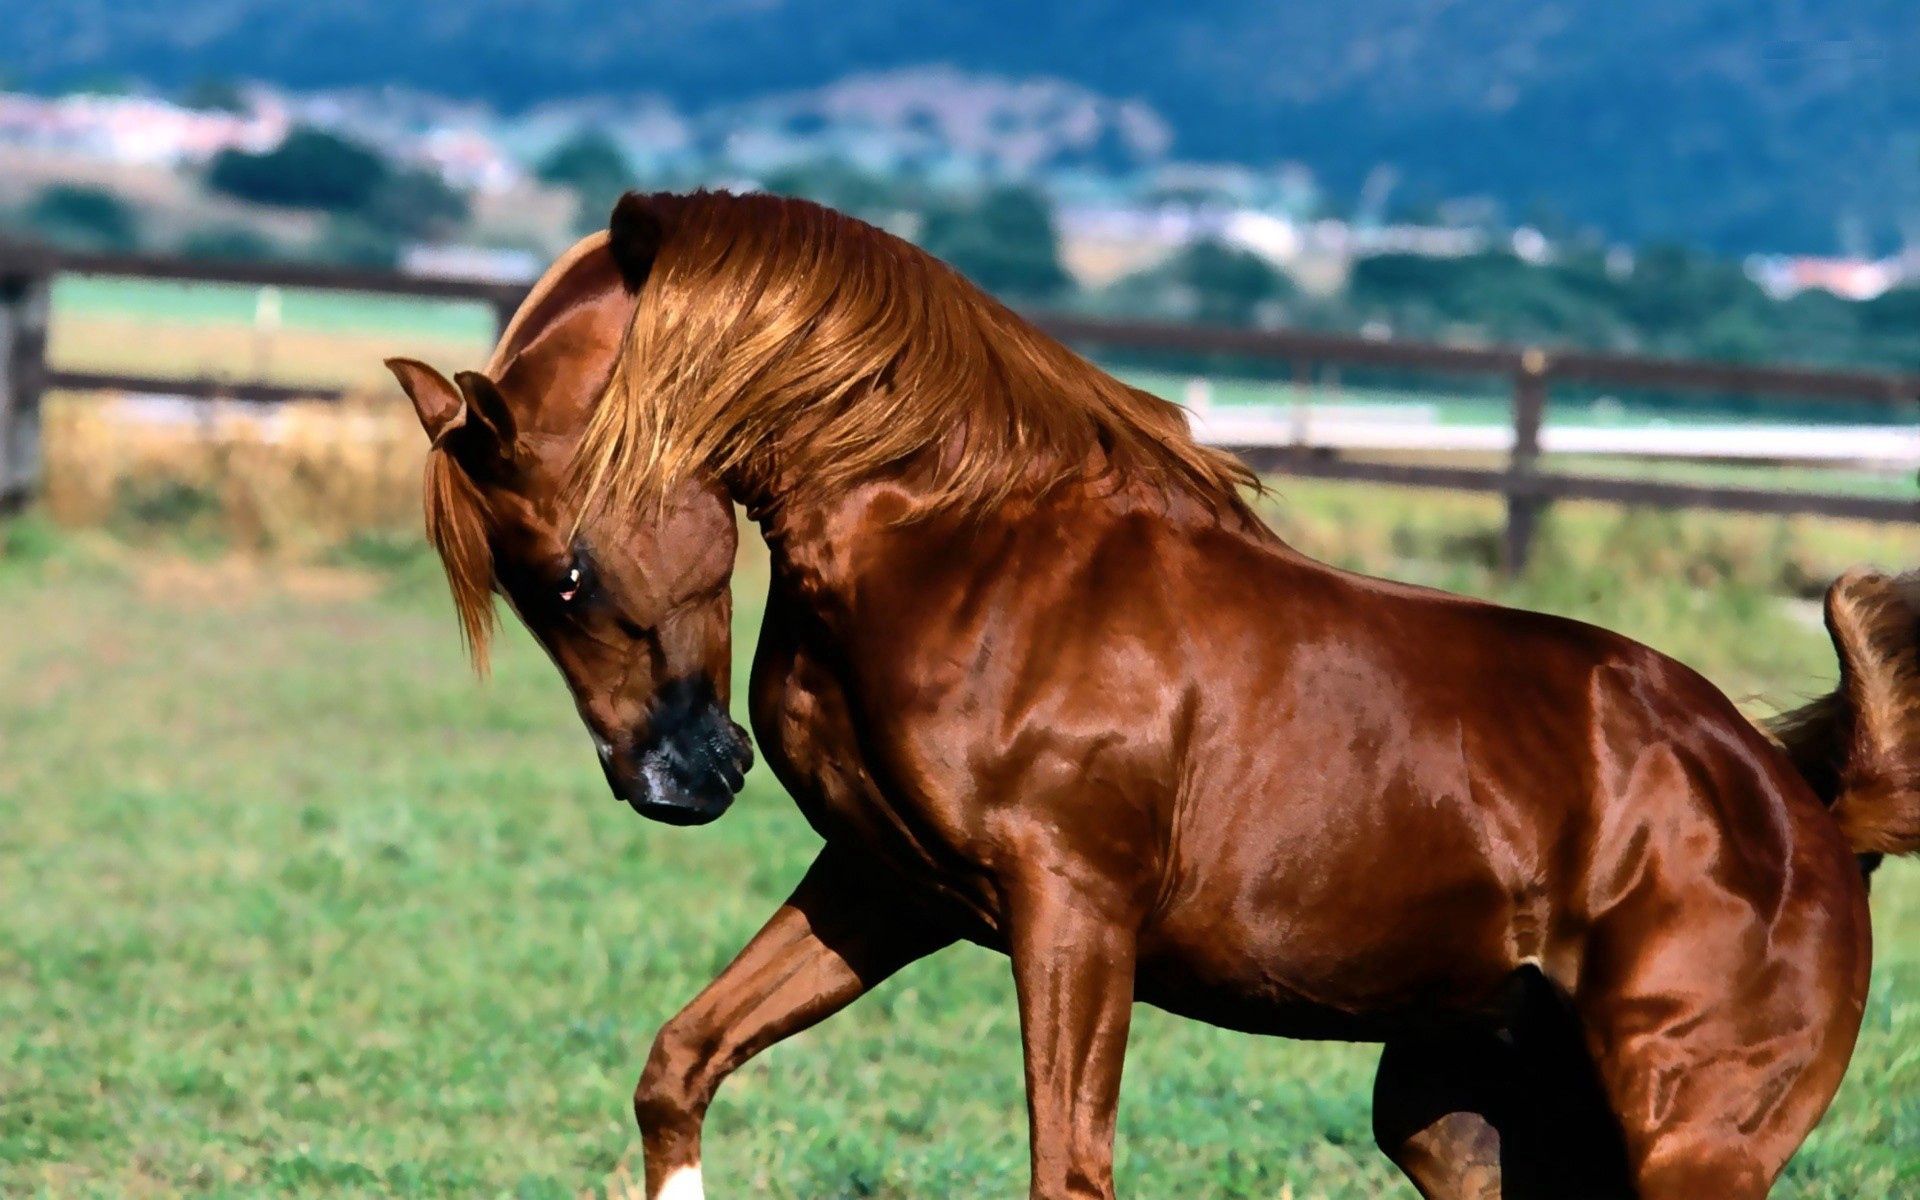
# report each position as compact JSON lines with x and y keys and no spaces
{"x":836,"y":938}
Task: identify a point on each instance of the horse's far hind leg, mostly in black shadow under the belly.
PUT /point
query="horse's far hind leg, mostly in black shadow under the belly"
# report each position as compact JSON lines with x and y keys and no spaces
{"x":1500,"y":1116}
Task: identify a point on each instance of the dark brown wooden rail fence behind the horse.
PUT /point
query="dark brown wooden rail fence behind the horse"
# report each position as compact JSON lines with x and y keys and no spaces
{"x":1527,"y":373}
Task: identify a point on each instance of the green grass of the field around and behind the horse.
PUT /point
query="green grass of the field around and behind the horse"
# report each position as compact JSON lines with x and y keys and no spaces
{"x":289,"y":905}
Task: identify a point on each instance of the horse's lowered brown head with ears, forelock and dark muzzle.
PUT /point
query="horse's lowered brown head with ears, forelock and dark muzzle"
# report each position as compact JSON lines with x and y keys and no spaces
{"x":631,"y":602}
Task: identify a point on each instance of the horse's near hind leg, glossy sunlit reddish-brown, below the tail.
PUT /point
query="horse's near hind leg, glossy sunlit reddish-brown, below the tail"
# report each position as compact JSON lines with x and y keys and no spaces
{"x":1723,"y":1024}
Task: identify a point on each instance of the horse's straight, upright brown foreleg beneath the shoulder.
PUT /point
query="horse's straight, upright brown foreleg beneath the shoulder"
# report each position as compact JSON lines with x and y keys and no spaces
{"x":1074,"y":963}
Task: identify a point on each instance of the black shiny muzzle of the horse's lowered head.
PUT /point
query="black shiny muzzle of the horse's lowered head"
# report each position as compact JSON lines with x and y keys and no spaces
{"x":688,"y":765}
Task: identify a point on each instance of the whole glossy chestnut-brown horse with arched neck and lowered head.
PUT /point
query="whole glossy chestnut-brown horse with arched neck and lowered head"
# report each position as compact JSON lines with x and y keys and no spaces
{"x":1042,"y":681}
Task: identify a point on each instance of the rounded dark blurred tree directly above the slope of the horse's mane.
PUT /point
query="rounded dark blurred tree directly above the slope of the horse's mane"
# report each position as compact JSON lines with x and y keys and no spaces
{"x":1005,"y":243}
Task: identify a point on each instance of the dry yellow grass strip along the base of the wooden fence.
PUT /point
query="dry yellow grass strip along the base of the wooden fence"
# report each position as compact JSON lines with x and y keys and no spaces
{"x":306,"y":477}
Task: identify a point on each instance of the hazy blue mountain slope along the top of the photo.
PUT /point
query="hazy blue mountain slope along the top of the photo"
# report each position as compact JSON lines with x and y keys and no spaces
{"x":1740,"y":124}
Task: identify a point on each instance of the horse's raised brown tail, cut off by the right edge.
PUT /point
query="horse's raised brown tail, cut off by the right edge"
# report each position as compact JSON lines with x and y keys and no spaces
{"x":1860,"y":748}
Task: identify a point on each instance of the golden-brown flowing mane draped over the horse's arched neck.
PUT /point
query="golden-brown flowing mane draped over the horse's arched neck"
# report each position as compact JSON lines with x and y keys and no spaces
{"x":780,"y":324}
